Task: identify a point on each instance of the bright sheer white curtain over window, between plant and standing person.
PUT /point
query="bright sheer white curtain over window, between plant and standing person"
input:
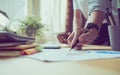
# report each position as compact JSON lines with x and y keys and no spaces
{"x":53,"y":14}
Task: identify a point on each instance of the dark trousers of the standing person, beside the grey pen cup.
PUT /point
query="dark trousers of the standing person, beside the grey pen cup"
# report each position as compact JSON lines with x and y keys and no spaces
{"x":103,"y":37}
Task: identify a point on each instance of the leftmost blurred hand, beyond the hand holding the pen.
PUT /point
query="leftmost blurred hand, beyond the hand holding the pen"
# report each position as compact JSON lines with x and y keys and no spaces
{"x":62,"y":37}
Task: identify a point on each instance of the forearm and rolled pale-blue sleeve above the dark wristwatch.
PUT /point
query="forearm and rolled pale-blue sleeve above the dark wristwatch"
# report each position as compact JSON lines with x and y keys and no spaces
{"x":97,"y":10}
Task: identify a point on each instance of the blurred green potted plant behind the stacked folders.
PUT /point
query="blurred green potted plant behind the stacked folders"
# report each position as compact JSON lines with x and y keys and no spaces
{"x":31,"y":26}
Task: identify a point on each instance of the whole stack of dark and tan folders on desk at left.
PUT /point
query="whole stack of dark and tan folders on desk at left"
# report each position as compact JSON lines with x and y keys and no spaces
{"x":15,"y":45}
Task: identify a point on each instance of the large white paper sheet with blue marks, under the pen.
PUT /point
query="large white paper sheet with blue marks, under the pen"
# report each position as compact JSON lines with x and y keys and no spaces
{"x":64,"y":55}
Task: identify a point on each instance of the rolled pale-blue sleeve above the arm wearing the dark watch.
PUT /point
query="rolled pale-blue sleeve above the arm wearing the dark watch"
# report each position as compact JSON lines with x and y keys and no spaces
{"x":98,"y":5}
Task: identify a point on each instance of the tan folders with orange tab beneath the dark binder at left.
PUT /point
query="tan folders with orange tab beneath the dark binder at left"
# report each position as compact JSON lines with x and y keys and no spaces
{"x":18,"y":50}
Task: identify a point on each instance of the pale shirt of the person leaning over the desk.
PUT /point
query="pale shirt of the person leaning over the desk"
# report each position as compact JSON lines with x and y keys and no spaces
{"x":88,"y":6}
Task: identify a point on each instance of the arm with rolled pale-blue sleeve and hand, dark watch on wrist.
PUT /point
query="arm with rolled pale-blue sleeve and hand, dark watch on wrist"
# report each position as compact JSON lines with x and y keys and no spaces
{"x":97,"y":10}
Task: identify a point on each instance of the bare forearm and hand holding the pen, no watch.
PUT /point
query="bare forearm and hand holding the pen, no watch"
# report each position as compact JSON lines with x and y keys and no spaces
{"x":78,"y":23}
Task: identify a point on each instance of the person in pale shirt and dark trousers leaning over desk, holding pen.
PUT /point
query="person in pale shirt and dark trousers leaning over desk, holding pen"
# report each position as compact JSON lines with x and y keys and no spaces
{"x":91,"y":15}
